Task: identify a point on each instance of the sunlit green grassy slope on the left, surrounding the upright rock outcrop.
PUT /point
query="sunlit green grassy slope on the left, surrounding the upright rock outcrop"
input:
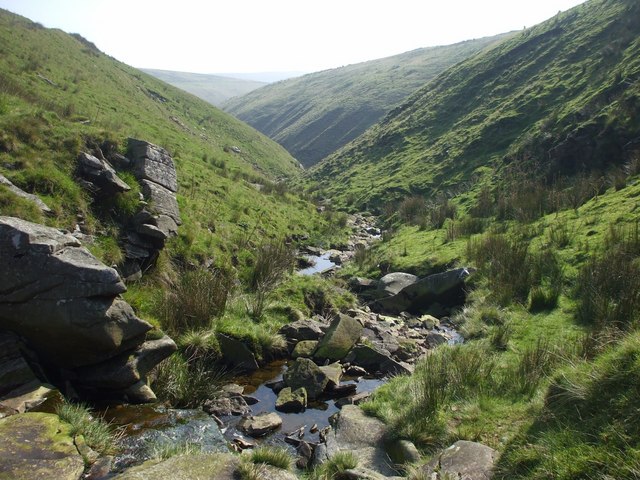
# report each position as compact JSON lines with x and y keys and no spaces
{"x":58,"y":94}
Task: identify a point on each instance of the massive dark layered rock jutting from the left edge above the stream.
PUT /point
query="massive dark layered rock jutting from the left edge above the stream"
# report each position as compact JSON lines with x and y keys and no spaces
{"x":66,"y":306}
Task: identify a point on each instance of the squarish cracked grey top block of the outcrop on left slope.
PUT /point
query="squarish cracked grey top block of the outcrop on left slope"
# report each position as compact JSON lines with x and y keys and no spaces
{"x":152,"y":163}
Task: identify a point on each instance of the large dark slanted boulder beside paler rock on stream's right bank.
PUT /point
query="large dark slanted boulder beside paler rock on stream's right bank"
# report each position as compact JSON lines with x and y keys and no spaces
{"x":445,"y":288}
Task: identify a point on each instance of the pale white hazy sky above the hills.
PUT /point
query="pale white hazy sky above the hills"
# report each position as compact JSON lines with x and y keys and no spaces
{"x":216,"y":36}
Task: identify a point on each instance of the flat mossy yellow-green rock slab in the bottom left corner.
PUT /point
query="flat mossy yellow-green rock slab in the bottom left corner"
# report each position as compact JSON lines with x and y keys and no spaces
{"x":38,"y":445}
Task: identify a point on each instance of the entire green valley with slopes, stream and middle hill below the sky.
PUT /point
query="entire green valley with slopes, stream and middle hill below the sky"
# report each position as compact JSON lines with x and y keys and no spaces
{"x":450,"y":289}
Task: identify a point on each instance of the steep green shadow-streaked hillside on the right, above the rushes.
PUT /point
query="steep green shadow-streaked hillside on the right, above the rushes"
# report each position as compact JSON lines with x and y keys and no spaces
{"x":557,"y":99}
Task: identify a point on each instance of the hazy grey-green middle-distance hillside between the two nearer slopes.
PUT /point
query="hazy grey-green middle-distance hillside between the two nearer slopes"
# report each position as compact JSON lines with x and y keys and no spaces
{"x":314,"y":115}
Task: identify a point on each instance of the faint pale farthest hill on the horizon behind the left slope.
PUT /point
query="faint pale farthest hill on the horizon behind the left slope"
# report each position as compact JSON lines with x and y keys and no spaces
{"x":212,"y":88}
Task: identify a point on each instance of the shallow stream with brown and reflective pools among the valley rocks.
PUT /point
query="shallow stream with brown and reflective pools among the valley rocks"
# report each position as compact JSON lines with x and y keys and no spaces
{"x":148,"y":429}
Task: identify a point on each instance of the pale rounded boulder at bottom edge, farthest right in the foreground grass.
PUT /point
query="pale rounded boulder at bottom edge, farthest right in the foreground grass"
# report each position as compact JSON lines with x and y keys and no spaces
{"x":465,"y":460}
